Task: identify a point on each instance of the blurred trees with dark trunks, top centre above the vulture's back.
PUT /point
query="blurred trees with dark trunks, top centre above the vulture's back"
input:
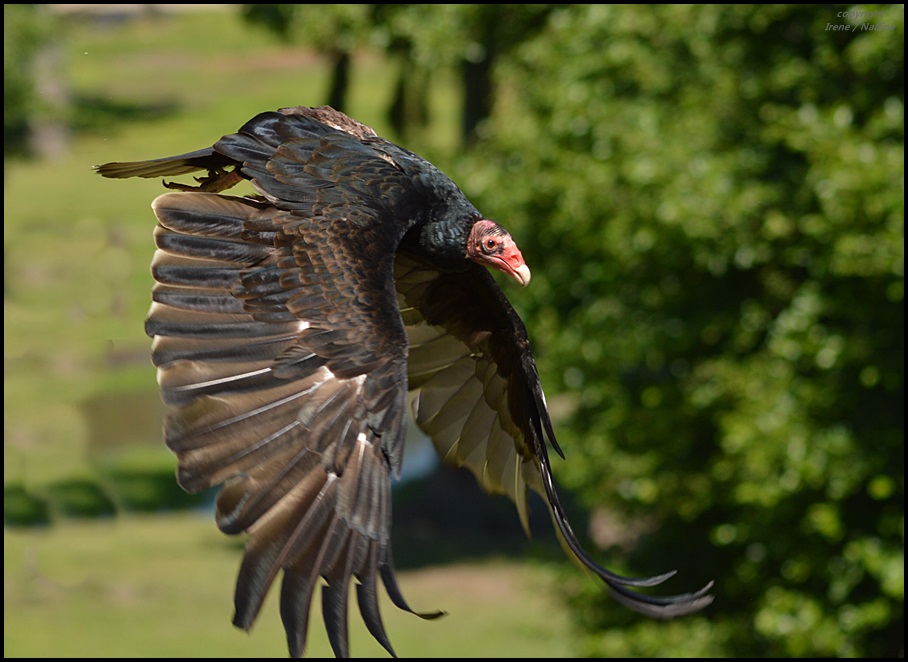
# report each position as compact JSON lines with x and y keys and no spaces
{"x":421,"y":38}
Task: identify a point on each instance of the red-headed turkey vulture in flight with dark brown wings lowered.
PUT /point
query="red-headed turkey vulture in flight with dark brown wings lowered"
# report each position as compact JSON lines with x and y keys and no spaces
{"x":291,"y":328}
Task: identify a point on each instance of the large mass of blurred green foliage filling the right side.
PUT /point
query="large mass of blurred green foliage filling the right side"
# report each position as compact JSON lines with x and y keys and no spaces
{"x":713,"y":197}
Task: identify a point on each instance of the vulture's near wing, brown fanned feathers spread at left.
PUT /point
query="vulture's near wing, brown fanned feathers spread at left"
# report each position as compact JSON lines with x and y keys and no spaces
{"x":279,"y":386}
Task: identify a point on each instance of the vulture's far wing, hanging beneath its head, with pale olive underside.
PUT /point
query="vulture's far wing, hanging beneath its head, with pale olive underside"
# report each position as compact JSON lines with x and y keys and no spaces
{"x":476,"y":393}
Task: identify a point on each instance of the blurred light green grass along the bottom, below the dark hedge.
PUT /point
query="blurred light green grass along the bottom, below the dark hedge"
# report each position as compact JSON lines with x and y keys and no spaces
{"x":162,"y":586}
